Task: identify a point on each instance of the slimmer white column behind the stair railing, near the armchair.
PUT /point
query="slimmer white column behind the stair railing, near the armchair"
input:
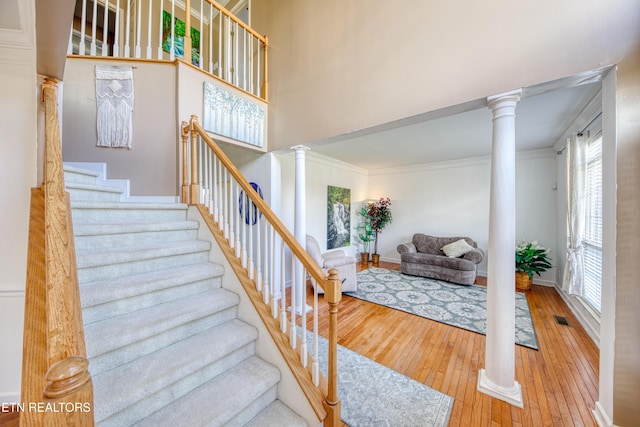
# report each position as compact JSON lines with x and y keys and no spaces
{"x":300,"y":227}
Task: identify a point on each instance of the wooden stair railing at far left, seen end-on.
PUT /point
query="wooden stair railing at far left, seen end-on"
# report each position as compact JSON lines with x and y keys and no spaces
{"x":56,"y":384}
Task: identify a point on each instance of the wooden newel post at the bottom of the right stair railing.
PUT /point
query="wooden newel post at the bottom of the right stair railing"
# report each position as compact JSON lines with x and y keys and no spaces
{"x":333,"y":295}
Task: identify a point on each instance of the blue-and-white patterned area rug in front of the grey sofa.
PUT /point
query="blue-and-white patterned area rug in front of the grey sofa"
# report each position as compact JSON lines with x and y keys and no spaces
{"x":455,"y":305}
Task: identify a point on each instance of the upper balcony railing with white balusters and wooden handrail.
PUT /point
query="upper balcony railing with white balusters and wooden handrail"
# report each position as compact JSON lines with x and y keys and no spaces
{"x":218,"y":42}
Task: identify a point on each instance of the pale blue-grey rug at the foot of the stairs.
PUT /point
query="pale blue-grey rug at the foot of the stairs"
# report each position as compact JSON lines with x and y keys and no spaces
{"x":374,"y":395}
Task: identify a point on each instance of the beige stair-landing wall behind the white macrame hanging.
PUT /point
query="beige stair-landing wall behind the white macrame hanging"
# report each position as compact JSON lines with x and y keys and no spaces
{"x":155,"y":129}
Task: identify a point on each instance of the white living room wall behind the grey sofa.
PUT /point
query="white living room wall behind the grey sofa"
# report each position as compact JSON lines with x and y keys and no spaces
{"x":452,"y":199}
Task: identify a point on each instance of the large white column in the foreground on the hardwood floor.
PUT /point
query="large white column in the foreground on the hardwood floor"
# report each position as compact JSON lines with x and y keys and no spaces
{"x":498,"y":378}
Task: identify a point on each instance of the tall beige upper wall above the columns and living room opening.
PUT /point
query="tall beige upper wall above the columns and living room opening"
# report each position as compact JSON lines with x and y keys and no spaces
{"x":336,"y":67}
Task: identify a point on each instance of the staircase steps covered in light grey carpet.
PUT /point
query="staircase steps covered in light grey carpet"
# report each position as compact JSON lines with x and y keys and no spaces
{"x":164,"y":342}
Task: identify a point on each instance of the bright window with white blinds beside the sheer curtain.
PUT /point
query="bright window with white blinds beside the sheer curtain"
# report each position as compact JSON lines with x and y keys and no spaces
{"x":593,"y":224}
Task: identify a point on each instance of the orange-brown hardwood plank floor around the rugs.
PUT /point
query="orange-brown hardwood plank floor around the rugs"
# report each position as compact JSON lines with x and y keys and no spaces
{"x":559,"y":381}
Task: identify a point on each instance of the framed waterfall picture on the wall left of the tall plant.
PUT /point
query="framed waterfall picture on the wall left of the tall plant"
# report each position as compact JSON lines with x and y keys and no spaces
{"x":338,"y":217}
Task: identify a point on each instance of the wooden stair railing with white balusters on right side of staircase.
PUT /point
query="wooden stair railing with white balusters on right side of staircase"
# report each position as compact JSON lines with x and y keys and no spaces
{"x":257,"y":245}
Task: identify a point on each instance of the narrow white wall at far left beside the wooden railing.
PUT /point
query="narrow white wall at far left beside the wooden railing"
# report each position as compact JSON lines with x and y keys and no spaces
{"x":18,"y":141}
